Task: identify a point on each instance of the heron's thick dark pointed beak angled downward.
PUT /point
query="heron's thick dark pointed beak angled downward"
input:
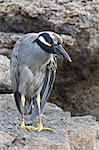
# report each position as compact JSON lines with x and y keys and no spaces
{"x":60,"y":50}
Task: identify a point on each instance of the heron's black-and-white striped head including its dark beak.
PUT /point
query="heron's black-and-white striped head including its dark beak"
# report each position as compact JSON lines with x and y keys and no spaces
{"x":51,"y":43}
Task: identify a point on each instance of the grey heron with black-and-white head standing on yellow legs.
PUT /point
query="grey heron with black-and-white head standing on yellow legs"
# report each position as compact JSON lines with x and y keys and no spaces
{"x":33,"y":69}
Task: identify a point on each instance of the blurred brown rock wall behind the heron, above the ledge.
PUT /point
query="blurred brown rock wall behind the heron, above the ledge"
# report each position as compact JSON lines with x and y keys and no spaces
{"x":76,"y":88}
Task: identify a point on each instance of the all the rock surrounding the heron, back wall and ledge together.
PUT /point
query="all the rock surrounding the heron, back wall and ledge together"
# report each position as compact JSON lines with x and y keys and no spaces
{"x":77,"y":84}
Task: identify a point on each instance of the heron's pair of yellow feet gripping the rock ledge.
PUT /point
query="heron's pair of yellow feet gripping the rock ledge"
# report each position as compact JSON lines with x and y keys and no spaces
{"x":39,"y":128}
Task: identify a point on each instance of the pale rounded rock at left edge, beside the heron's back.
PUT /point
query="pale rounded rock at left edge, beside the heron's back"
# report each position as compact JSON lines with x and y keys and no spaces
{"x":5,"y":82}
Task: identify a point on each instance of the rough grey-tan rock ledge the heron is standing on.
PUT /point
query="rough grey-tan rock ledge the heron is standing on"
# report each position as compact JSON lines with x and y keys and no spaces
{"x":70,"y":133}
